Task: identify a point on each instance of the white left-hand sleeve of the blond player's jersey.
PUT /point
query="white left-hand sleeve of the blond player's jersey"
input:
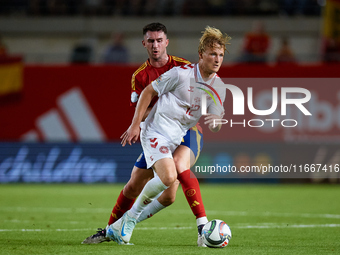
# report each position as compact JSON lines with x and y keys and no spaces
{"x":166,"y":82}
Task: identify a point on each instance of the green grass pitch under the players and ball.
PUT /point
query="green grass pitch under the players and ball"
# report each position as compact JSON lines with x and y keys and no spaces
{"x":264,"y":219}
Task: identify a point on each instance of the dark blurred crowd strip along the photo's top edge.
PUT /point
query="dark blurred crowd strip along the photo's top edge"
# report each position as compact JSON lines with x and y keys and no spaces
{"x":160,"y":7}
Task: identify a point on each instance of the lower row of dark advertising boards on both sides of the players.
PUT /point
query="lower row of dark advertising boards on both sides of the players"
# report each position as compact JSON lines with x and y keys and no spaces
{"x":226,"y":162}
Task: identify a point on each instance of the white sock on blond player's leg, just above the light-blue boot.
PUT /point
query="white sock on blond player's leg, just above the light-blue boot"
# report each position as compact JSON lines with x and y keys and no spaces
{"x":150,"y":191}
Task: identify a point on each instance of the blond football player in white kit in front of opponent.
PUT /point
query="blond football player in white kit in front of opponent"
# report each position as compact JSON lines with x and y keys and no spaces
{"x":181,"y":92}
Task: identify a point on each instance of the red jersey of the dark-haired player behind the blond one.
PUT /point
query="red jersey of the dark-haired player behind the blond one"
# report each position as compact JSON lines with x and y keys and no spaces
{"x":147,"y":73}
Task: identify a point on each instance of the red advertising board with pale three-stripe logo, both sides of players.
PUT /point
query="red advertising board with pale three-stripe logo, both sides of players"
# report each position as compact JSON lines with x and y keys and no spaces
{"x":79,"y":104}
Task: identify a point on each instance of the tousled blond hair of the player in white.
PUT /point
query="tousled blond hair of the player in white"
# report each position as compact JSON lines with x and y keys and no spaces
{"x":211,"y":36}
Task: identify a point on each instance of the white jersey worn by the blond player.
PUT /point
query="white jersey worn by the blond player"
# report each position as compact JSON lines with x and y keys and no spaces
{"x":180,"y":91}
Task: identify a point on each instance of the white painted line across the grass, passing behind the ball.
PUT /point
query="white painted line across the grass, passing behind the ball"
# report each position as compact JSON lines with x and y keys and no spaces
{"x":266,"y":226}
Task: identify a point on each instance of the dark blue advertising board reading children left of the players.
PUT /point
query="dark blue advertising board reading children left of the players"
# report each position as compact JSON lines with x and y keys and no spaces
{"x":66,"y":162}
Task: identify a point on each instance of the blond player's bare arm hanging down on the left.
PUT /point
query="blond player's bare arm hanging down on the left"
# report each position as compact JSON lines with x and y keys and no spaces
{"x":132,"y":133}
